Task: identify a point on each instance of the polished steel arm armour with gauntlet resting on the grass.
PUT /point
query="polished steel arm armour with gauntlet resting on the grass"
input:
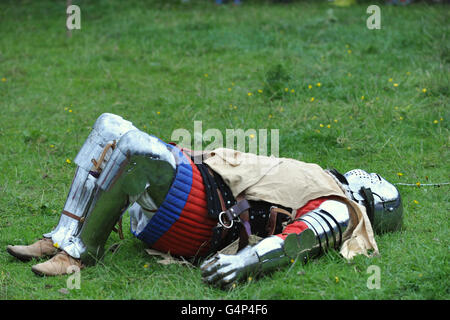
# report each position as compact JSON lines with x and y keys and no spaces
{"x":326,"y":226}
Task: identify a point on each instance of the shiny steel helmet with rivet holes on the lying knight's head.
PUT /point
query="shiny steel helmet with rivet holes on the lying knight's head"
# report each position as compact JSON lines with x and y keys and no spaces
{"x":380,"y":197}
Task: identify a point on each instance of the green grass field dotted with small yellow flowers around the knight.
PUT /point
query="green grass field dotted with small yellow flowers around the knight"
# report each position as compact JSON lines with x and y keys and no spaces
{"x":341,"y":96}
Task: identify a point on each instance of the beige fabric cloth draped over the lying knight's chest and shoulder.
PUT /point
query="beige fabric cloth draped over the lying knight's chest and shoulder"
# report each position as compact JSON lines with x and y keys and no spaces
{"x":291,"y":183}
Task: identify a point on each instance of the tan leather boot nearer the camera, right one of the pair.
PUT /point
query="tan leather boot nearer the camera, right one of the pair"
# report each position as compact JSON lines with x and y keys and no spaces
{"x":58,"y":265}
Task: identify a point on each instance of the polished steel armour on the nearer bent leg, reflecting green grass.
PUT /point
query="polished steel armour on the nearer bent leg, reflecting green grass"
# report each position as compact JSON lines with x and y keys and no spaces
{"x":139,"y":162}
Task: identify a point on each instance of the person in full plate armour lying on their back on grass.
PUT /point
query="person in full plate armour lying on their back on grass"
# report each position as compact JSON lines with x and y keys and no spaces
{"x":194,"y":206}
